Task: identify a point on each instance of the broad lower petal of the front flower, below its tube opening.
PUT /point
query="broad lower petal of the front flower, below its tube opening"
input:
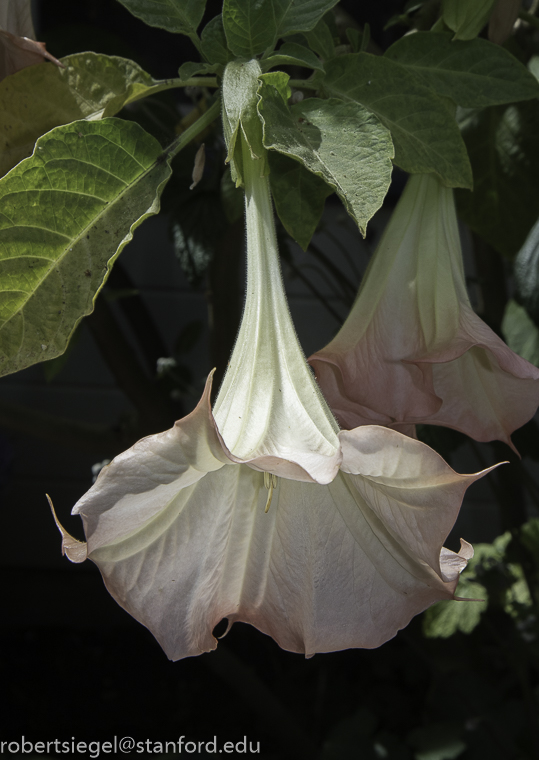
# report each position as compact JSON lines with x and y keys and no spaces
{"x":319,"y":572}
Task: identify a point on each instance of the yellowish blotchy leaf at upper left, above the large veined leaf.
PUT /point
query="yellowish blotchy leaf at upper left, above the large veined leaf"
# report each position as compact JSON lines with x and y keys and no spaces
{"x":38,"y":98}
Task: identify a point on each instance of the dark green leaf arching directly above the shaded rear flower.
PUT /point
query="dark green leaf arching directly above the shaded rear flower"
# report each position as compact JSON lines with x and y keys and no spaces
{"x":425,"y":138}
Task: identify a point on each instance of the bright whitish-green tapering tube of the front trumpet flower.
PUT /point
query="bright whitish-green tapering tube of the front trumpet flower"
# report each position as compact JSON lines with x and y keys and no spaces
{"x":269,"y":405}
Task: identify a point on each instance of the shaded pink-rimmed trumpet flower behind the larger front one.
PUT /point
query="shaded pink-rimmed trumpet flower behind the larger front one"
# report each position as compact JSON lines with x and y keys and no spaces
{"x":412,"y":349}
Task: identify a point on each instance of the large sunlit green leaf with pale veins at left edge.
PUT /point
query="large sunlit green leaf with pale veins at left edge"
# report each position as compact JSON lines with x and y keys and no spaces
{"x":66,"y":213}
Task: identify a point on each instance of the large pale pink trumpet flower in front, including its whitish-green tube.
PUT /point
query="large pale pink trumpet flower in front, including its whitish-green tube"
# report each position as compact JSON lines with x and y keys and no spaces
{"x":263,"y":511}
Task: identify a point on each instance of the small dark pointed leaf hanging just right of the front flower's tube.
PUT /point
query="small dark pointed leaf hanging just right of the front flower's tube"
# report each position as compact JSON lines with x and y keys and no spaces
{"x":298,"y":195}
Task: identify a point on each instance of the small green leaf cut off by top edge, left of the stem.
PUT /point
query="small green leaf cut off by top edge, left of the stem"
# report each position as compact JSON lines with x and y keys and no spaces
{"x":182,"y":16}
